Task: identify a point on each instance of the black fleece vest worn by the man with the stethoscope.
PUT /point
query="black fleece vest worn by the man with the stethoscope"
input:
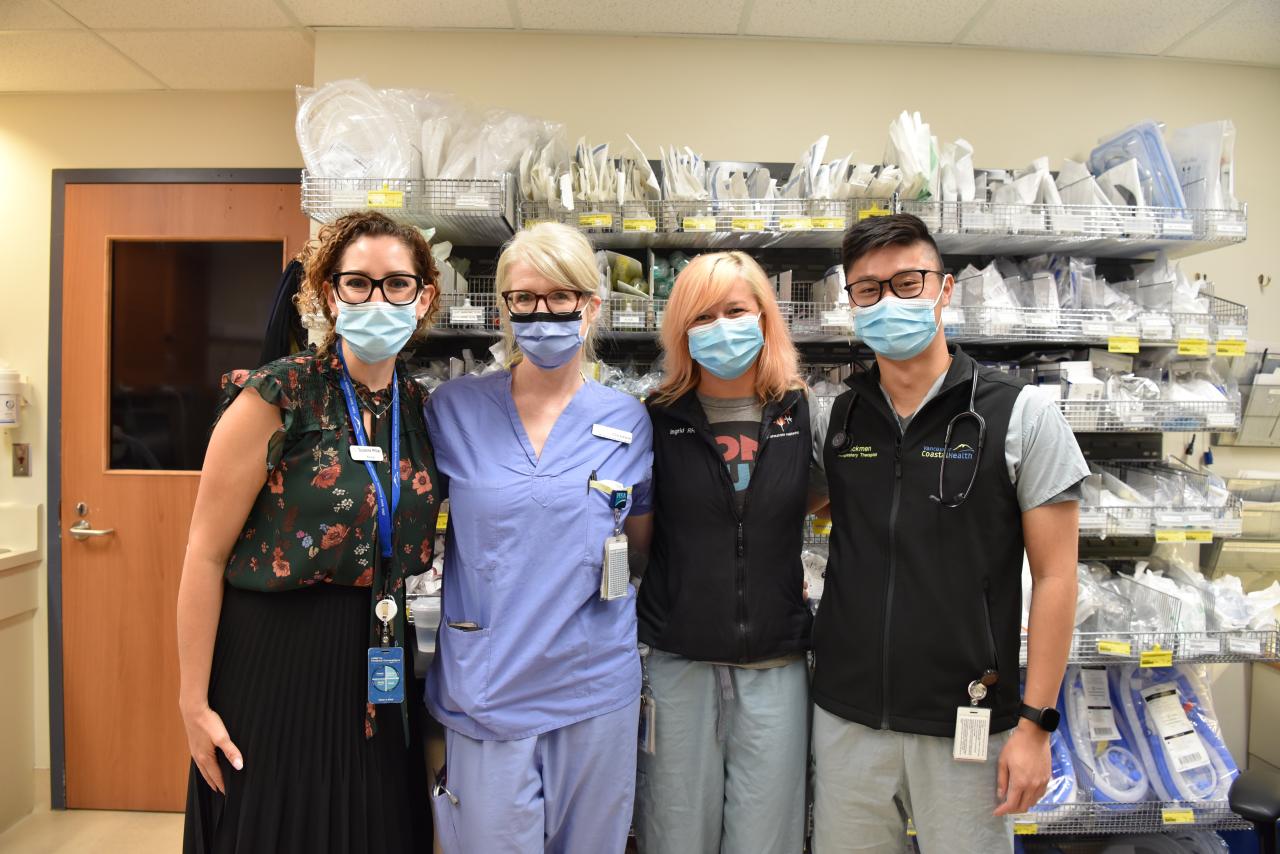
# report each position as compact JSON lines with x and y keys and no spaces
{"x":921,"y":599}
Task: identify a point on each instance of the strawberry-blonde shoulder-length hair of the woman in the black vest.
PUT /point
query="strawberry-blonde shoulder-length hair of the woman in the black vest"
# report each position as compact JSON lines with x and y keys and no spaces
{"x":701,"y":286}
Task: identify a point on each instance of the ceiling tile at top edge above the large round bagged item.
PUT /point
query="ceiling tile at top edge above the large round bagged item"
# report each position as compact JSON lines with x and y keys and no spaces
{"x":495,"y":15}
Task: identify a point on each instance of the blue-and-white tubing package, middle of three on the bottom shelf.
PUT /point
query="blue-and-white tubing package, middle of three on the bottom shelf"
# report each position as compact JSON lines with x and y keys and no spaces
{"x":1107,"y":756}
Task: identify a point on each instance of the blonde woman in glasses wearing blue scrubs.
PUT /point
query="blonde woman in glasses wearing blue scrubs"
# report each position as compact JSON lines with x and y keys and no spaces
{"x":537,"y":677}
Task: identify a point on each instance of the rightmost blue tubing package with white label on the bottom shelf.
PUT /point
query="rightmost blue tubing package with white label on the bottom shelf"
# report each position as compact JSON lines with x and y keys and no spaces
{"x":1172,"y":711}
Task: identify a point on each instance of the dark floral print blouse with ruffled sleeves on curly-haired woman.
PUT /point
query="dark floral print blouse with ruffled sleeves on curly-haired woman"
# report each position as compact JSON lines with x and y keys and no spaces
{"x":316,"y":520}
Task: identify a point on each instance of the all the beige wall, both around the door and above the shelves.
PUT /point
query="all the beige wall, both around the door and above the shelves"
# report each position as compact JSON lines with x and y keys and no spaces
{"x":728,"y":99}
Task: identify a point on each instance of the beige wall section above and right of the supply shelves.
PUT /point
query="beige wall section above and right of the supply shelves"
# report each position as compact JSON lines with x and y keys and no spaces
{"x":769,"y":101}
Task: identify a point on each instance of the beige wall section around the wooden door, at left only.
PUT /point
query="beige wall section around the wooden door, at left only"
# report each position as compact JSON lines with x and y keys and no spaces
{"x":39,"y":135}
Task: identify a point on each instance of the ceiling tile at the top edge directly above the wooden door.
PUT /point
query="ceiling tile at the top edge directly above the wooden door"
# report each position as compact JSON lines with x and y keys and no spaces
{"x":176,"y":15}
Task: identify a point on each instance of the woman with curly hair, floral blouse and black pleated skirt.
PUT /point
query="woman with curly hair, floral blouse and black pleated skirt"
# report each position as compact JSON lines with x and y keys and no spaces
{"x":317,"y":500}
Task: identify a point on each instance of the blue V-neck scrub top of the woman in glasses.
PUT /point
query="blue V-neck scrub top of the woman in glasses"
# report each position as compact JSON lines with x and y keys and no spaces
{"x":523,"y":561}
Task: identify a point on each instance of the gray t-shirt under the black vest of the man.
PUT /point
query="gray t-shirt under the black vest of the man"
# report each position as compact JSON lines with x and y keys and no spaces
{"x":1041,"y":454}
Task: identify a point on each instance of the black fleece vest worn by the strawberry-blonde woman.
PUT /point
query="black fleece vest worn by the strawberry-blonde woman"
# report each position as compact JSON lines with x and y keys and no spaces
{"x":726,"y":586}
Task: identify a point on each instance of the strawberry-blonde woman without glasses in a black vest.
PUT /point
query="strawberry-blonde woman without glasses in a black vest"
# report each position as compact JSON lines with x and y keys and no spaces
{"x":721,"y":609}
